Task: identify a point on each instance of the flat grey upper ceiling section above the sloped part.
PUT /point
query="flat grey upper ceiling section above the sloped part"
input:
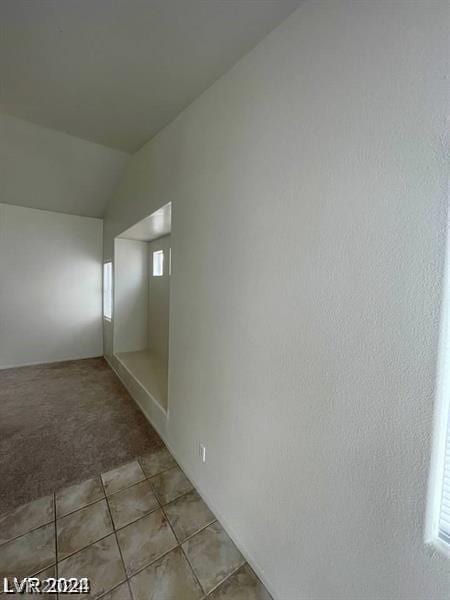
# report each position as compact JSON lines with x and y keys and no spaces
{"x":116,"y":71}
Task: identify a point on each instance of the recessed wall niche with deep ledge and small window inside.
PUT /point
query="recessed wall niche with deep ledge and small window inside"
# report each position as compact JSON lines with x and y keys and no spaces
{"x":142,"y":266}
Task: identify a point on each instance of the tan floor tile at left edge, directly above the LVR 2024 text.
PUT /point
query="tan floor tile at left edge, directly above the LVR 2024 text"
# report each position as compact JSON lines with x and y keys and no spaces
{"x":28,"y":554}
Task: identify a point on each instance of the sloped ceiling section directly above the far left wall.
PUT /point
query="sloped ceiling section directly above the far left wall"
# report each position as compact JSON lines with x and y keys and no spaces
{"x":45,"y":169}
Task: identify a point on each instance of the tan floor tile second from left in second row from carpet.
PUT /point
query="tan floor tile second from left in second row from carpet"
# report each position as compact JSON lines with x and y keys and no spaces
{"x":81,"y":528}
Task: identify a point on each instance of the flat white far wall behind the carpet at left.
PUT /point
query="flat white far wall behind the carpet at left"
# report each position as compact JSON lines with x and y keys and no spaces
{"x":50,"y":286}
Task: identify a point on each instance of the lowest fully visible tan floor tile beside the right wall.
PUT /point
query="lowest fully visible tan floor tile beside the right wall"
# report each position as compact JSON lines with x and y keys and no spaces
{"x":212,"y":555}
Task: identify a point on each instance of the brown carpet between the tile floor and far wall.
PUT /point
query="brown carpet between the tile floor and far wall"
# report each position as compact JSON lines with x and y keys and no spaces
{"x":64,"y":422}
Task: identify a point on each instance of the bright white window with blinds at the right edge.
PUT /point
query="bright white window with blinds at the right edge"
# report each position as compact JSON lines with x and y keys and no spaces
{"x":438,"y":514}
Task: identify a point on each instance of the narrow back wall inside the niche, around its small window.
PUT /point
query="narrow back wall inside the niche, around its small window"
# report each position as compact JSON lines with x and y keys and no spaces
{"x":158,"y":302}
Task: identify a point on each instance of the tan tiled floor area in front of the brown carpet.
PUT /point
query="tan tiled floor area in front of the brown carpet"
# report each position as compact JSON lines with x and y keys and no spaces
{"x":138,"y":532}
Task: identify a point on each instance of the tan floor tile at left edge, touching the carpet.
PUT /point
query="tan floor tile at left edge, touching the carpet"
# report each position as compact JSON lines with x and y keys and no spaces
{"x":25,"y":518}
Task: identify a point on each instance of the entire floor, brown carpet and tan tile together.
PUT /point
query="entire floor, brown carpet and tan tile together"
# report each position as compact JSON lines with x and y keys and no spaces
{"x":88,"y":490}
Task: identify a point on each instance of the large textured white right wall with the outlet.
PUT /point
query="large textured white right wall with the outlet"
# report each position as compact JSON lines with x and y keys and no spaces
{"x":309,"y":193}
